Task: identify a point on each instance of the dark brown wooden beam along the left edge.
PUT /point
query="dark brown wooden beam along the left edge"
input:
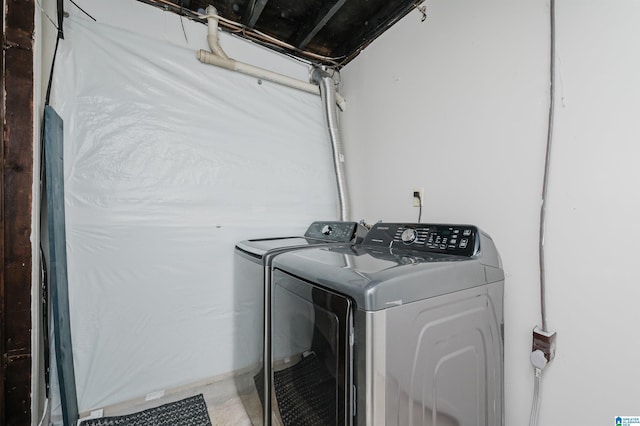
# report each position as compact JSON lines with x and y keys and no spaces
{"x":16,"y":180}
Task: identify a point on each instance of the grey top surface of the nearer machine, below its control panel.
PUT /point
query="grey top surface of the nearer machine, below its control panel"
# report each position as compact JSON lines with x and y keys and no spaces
{"x":381,"y":277}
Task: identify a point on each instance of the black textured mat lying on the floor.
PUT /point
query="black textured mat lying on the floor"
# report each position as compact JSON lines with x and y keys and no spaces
{"x":190,"y":411}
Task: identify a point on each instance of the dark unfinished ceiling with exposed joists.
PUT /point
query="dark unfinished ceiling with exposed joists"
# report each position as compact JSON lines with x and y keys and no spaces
{"x":328,"y":32}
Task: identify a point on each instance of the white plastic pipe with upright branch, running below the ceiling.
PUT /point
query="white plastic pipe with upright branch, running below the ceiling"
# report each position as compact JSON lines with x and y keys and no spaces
{"x":218,"y":57}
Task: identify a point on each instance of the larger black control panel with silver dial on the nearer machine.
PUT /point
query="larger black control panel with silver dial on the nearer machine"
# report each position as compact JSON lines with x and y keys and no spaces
{"x":459,"y":240}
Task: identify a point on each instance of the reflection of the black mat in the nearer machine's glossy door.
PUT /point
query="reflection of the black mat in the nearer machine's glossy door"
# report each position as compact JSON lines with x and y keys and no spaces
{"x":306,"y":393}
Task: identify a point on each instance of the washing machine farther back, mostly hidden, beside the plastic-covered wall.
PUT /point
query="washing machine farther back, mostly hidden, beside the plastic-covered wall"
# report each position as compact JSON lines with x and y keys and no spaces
{"x":252,"y":275}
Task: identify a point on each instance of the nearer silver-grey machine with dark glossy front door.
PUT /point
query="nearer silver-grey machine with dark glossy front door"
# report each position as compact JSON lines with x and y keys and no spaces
{"x":405,"y":328}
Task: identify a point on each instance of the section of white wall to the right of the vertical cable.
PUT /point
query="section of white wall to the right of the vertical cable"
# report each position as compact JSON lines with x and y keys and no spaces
{"x":593,"y":223}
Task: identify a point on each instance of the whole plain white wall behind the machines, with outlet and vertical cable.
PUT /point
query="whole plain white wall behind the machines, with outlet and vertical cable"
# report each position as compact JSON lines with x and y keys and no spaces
{"x":458,"y":105}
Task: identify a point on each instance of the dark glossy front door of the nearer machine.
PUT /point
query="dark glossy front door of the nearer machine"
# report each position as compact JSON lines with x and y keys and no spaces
{"x":312,"y":356}
